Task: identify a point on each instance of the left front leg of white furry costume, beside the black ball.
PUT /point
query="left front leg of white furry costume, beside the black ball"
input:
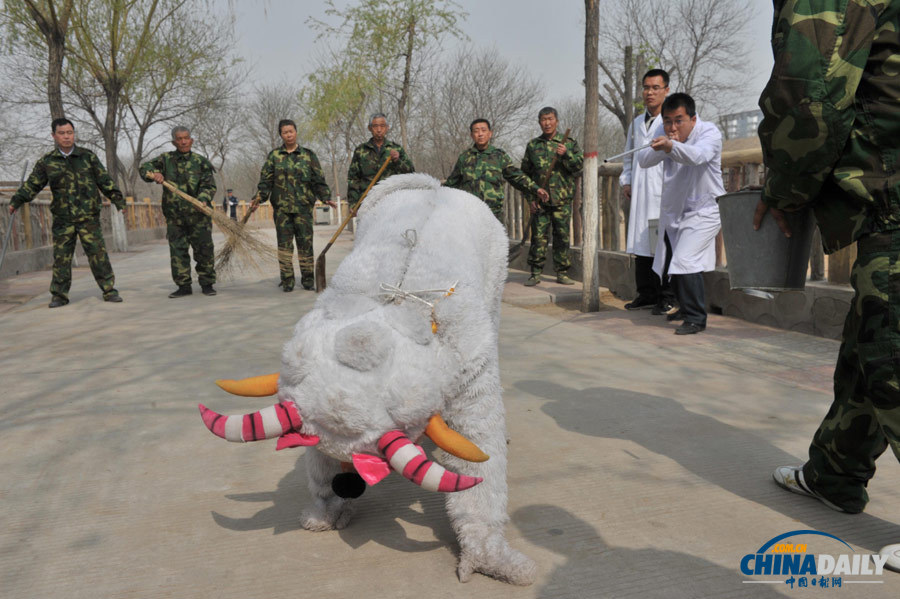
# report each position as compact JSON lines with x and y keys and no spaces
{"x":328,"y":511}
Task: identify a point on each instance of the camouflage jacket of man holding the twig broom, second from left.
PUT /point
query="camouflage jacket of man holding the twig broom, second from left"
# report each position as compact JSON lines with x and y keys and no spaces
{"x":188,"y":171}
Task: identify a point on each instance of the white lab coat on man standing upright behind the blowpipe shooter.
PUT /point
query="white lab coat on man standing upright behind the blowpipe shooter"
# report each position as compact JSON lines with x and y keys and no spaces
{"x":646,"y":187}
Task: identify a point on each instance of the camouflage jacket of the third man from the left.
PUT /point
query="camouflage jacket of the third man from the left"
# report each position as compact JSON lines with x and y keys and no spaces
{"x":293,"y":181}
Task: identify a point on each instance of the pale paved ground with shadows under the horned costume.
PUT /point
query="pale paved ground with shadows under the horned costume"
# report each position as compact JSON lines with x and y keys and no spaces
{"x":639,"y":461}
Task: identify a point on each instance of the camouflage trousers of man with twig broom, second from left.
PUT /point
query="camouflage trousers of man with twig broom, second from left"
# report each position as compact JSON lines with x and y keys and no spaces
{"x":191,"y":234}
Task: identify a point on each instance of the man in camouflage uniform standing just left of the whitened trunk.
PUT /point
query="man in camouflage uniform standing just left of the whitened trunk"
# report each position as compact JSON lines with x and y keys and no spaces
{"x":557,"y":211}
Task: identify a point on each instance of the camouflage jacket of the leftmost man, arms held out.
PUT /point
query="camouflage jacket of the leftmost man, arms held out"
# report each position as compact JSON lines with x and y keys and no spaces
{"x":75,"y":182}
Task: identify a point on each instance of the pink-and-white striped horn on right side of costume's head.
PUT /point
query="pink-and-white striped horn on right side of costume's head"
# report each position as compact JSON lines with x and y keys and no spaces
{"x":409,"y":459}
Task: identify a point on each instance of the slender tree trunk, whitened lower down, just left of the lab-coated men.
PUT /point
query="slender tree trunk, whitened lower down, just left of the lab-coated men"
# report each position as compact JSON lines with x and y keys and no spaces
{"x":590,"y":293}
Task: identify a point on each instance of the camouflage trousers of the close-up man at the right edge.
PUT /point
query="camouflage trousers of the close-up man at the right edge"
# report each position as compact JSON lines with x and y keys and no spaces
{"x":864,"y":418}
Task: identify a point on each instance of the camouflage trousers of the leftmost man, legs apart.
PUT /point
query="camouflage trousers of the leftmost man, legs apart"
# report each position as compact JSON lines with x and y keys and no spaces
{"x":91,"y":235}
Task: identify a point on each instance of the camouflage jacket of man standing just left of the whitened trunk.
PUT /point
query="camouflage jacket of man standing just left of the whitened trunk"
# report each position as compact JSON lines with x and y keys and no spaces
{"x":539,"y":154}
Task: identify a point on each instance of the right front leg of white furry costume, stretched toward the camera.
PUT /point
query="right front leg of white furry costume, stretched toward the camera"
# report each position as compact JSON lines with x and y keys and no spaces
{"x":478,"y":515}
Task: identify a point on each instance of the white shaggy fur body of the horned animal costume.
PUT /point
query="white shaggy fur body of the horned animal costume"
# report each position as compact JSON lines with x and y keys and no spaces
{"x":377,"y":354}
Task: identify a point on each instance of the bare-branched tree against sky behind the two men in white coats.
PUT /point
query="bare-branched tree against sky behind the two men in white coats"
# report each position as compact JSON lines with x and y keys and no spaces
{"x":701,"y":43}
